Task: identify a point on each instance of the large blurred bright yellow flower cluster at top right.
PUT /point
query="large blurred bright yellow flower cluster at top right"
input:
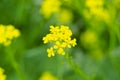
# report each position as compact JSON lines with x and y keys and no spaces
{"x":96,"y":9}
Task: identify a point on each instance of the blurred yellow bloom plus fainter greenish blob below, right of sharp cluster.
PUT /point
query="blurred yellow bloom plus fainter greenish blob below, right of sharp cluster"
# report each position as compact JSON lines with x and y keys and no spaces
{"x":89,"y":40}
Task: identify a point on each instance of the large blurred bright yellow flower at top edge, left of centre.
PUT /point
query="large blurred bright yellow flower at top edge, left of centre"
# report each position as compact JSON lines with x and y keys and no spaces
{"x":50,"y":7}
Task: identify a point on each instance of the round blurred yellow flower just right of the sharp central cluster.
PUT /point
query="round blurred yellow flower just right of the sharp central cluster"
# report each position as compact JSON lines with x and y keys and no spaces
{"x":89,"y":38}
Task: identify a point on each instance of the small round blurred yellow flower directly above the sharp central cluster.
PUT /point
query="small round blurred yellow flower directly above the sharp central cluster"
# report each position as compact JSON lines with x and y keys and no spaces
{"x":65,"y":16}
